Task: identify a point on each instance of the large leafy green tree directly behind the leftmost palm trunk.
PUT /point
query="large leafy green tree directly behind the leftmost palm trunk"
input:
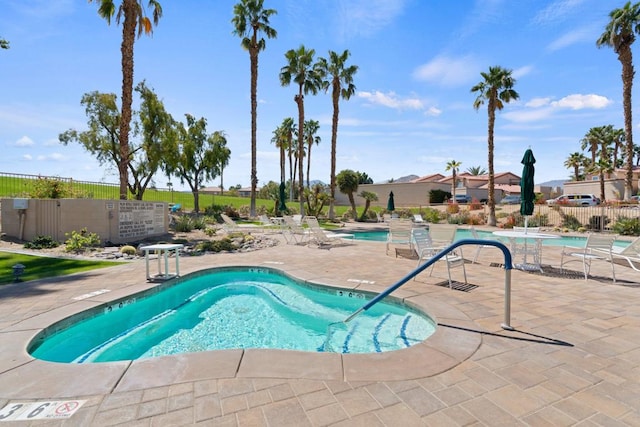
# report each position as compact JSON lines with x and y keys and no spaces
{"x":102,"y":137}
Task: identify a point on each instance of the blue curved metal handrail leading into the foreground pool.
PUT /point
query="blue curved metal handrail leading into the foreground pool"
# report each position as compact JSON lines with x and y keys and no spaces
{"x":508,"y":266}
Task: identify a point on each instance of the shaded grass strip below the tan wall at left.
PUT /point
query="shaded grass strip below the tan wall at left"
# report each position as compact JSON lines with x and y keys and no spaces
{"x":37,"y":267}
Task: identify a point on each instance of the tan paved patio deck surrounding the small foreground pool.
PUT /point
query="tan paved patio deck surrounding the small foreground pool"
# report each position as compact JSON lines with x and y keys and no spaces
{"x":573,"y":358}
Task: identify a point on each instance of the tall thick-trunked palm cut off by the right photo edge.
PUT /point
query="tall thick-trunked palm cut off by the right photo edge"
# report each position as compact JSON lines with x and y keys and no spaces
{"x":619,"y":34}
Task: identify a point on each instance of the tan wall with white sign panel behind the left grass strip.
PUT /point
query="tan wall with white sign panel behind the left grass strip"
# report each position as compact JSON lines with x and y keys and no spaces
{"x":116,"y":221}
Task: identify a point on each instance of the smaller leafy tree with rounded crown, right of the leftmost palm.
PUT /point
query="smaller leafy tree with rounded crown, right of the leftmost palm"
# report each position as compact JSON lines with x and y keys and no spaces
{"x":196,"y":156}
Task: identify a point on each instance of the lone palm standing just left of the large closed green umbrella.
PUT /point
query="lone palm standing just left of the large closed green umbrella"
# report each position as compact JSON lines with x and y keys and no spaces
{"x":496,"y":89}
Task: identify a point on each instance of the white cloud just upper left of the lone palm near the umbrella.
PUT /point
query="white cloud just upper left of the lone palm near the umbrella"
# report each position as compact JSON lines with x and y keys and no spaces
{"x":448,"y":71}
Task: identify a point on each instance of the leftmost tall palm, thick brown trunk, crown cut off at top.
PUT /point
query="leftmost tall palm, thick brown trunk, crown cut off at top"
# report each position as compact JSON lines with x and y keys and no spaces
{"x":134,"y":16}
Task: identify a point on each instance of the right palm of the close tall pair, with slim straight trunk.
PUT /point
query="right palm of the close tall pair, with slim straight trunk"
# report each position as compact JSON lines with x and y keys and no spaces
{"x":342,"y":86}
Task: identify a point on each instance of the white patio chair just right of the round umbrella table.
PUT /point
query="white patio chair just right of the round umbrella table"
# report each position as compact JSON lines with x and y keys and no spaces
{"x":597,"y":247}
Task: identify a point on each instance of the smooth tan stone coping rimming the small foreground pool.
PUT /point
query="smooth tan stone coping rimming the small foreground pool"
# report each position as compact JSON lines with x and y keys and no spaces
{"x":456,"y":338}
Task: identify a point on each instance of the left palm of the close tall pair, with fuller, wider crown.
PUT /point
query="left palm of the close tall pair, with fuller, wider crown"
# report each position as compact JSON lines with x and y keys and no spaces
{"x":309,"y":77}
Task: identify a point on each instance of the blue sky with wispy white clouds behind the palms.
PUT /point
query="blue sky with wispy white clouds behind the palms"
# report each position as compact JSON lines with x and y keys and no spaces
{"x":412,"y":111}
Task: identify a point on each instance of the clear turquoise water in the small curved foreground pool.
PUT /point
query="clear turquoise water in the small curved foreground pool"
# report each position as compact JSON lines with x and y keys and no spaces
{"x":231,"y":308}
